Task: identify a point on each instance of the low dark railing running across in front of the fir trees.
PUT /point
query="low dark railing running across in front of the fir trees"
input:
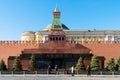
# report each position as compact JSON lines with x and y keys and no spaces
{"x":59,"y":71}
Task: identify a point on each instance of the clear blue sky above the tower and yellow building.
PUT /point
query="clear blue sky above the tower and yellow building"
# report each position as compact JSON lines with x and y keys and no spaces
{"x":17,"y":16}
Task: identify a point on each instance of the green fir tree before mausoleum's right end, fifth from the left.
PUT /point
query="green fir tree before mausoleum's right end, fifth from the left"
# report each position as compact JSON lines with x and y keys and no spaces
{"x":94,"y":66}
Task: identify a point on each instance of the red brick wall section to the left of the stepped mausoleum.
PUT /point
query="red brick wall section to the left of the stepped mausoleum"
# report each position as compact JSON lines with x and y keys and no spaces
{"x":7,"y":50}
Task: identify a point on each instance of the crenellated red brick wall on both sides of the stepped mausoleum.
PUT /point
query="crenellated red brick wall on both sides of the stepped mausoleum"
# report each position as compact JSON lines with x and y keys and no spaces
{"x":106,"y":49}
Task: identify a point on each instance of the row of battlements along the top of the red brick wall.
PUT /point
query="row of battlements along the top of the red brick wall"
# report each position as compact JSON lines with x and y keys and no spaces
{"x":38,"y":42}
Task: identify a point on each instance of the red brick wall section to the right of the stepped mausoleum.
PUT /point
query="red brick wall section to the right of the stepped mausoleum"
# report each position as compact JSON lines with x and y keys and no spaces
{"x":106,"y":49}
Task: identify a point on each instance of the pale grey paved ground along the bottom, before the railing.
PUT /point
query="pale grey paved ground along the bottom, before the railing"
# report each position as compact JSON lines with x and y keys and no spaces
{"x":59,"y":77}
